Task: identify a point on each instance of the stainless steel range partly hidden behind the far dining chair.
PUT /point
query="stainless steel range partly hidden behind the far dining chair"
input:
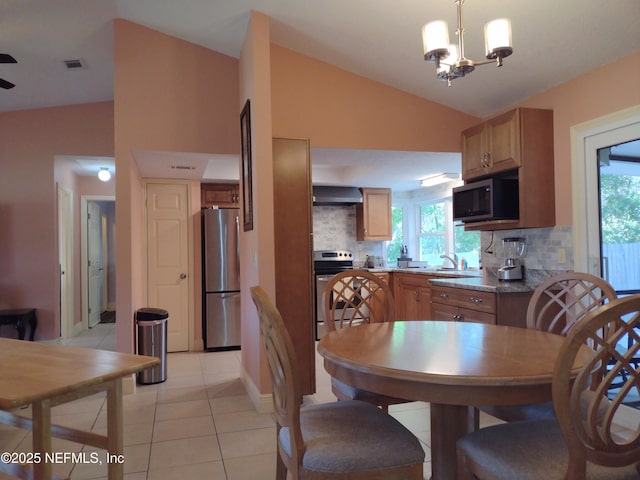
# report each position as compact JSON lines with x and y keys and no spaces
{"x":326,"y":263}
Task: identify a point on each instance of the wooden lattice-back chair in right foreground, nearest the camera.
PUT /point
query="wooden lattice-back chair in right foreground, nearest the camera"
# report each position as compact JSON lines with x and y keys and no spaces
{"x":586,"y":440}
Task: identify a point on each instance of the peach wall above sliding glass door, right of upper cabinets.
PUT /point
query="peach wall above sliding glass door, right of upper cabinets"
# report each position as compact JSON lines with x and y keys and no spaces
{"x":606,"y":90}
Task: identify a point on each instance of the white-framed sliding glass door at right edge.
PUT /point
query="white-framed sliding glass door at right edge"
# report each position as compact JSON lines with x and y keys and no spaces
{"x":594,"y":213}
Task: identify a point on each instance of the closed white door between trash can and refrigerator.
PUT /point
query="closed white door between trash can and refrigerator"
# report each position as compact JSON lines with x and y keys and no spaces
{"x":168,"y":259}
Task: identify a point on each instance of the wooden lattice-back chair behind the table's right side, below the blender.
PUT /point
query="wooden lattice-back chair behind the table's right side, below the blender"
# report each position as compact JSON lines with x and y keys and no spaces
{"x":555,"y":306}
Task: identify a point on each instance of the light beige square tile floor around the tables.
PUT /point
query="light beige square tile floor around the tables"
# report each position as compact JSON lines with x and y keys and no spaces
{"x":199,"y":423}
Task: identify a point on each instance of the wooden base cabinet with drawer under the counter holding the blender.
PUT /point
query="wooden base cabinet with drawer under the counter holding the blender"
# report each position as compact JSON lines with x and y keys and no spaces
{"x":466,"y":305}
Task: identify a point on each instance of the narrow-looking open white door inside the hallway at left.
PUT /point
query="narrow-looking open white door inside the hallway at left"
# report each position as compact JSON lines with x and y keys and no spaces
{"x":94,"y":262}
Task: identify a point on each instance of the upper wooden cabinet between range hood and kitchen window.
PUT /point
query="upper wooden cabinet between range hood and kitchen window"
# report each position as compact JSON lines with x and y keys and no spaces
{"x":373,"y":215}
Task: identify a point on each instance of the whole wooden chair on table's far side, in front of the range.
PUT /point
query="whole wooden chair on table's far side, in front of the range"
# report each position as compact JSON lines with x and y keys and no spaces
{"x":354,"y":297}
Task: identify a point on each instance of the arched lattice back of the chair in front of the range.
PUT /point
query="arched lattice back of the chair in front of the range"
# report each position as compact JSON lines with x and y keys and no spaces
{"x":357,"y":296}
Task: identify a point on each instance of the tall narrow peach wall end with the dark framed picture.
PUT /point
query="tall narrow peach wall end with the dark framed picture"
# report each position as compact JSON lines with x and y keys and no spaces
{"x":257,"y":245}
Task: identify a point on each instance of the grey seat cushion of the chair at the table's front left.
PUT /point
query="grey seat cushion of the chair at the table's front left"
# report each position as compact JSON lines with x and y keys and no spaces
{"x":350,"y":436}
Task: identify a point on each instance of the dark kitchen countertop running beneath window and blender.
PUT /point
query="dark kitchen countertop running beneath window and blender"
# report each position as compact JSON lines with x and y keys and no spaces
{"x":479,"y":280}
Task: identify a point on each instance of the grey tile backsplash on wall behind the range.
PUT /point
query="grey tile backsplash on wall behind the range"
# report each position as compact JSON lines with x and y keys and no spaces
{"x":334,"y":228}
